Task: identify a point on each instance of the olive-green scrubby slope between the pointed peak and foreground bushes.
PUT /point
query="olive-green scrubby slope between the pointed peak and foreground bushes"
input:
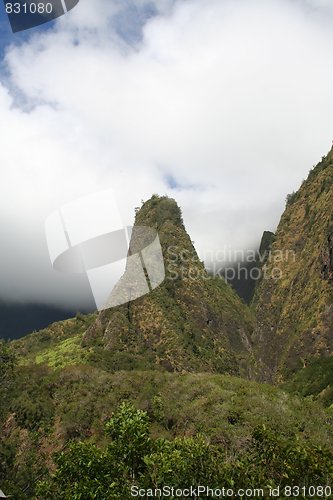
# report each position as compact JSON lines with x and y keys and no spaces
{"x":45,"y":410}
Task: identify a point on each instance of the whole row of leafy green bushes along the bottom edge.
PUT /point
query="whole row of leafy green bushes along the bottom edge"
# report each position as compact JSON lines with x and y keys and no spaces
{"x":133,"y":458}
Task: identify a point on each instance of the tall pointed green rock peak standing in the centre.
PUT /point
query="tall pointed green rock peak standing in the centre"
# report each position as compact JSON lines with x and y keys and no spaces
{"x":191,"y":322}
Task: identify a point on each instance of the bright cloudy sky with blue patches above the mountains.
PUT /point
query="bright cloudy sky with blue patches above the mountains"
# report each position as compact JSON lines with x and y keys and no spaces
{"x":224,"y":105}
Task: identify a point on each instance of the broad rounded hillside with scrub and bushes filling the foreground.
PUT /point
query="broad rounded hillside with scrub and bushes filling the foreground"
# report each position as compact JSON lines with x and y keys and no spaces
{"x":46,"y":411}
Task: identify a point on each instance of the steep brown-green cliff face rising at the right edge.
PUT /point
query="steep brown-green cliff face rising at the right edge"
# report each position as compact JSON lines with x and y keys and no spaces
{"x":294,"y":301}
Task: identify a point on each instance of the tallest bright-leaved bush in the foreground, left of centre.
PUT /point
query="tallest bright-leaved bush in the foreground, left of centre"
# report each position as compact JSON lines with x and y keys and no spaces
{"x":86,"y":472}
